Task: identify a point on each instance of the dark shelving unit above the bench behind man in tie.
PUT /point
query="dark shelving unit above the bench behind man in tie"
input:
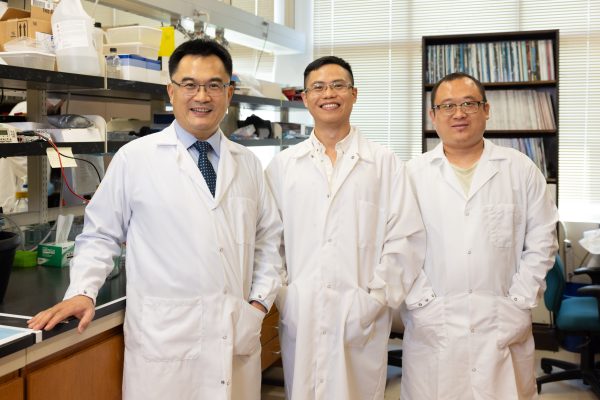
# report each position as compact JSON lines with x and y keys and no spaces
{"x":38,"y":83}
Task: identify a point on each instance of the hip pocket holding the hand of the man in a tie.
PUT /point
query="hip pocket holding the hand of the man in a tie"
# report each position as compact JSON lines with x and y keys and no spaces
{"x":246,"y":335}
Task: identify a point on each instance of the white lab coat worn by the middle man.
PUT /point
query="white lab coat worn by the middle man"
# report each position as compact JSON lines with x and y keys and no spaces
{"x":365,"y":236}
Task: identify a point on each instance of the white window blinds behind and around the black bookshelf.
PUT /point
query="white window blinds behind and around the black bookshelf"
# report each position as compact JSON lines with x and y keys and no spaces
{"x":381,"y":39}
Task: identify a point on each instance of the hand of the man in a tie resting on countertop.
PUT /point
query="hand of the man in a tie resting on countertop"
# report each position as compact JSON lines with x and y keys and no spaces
{"x":81,"y":307}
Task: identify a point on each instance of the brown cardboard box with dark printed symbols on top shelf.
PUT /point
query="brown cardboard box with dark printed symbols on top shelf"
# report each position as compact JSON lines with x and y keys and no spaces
{"x":17,"y":23}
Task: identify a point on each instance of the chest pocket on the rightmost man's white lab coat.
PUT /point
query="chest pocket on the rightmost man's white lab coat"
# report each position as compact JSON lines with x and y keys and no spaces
{"x":501,"y":221}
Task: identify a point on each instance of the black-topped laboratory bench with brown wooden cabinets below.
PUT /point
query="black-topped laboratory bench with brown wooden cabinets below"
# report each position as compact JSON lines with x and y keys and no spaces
{"x":61,"y":363}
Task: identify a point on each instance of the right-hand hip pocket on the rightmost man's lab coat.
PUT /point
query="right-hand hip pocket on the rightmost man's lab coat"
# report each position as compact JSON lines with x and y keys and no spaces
{"x":513,"y":325}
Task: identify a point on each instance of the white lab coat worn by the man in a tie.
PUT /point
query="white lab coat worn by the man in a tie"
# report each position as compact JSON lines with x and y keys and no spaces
{"x":193,"y":262}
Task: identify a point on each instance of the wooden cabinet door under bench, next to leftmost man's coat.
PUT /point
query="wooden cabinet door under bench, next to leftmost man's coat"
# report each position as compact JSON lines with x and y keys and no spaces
{"x":94,"y":373}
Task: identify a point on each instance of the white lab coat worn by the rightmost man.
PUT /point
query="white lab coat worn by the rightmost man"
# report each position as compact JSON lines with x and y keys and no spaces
{"x":468,"y":319}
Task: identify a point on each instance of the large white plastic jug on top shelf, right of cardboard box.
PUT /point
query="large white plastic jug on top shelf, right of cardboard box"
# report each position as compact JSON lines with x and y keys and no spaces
{"x":72,"y":31}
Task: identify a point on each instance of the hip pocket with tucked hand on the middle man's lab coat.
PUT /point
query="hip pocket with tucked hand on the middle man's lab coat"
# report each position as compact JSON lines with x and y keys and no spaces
{"x":358,"y":327}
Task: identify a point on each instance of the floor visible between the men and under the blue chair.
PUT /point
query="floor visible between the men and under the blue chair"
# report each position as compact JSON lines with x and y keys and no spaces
{"x":567,"y":390}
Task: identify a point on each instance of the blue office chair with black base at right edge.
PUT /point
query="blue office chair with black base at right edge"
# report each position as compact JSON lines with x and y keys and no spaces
{"x":573,"y":316}
